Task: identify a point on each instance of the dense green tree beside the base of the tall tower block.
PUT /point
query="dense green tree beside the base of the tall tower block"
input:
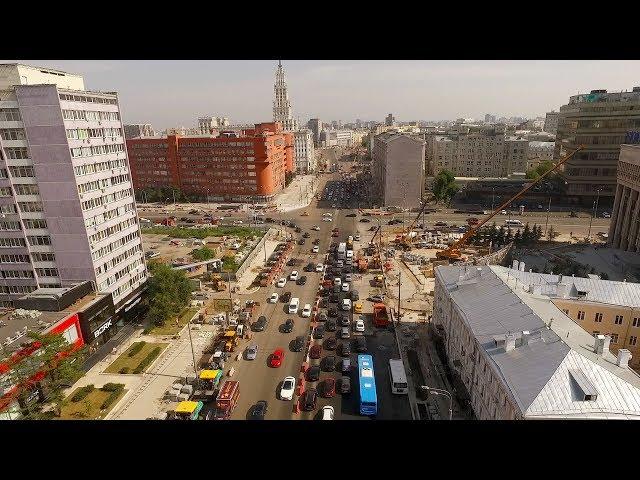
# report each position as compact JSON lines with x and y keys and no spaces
{"x":169,"y":292}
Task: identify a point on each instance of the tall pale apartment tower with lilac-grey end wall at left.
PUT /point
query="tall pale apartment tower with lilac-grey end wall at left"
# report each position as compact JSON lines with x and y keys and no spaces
{"x":66,"y":199}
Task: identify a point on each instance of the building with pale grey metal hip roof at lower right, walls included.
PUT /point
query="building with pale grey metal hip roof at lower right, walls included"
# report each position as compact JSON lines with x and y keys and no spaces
{"x":517,"y":356}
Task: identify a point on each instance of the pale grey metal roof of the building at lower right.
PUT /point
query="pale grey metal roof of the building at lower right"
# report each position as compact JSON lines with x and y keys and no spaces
{"x":540,"y":372}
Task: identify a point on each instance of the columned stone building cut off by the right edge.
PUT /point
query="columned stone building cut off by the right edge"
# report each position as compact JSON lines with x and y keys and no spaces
{"x":624,"y":231}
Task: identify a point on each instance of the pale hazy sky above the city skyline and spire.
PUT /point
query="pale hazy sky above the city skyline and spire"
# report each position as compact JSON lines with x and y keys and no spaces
{"x":174,"y":93}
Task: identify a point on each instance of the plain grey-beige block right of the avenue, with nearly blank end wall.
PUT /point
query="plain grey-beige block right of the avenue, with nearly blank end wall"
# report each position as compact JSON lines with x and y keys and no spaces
{"x":398,"y":169}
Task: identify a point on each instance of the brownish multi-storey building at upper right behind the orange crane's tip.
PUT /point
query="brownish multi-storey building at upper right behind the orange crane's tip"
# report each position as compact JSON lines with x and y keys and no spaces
{"x":599,"y":121}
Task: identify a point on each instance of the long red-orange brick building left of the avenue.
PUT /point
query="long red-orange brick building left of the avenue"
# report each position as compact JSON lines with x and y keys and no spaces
{"x":249,"y":165}
